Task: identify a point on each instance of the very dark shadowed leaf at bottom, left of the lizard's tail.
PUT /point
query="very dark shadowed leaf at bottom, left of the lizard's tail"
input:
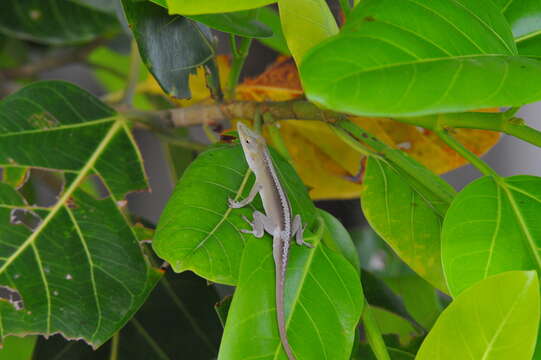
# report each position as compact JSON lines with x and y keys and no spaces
{"x":176,"y":322}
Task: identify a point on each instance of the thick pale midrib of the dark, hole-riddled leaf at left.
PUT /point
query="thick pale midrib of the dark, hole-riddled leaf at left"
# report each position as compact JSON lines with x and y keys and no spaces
{"x":85,"y":170}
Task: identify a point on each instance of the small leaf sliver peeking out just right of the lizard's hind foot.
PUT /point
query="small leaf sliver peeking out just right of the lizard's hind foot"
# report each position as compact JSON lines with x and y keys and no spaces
{"x":337,"y":238}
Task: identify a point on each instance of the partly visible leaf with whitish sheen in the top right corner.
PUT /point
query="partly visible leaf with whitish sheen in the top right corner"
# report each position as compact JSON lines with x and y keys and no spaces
{"x":523,"y":16}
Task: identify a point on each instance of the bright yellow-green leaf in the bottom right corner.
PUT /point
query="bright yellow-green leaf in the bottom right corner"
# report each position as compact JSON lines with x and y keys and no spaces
{"x":496,"y":318}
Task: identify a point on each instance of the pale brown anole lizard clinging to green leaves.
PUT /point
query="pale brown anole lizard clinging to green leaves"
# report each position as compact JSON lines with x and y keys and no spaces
{"x":278,"y":219}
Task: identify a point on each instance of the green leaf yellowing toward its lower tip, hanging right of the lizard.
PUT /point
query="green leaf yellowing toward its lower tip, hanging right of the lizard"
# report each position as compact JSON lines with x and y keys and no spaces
{"x":406,"y":217}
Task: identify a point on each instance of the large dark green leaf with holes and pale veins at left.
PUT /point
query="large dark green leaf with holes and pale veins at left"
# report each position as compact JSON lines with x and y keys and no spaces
{"x":74,"y":268}
